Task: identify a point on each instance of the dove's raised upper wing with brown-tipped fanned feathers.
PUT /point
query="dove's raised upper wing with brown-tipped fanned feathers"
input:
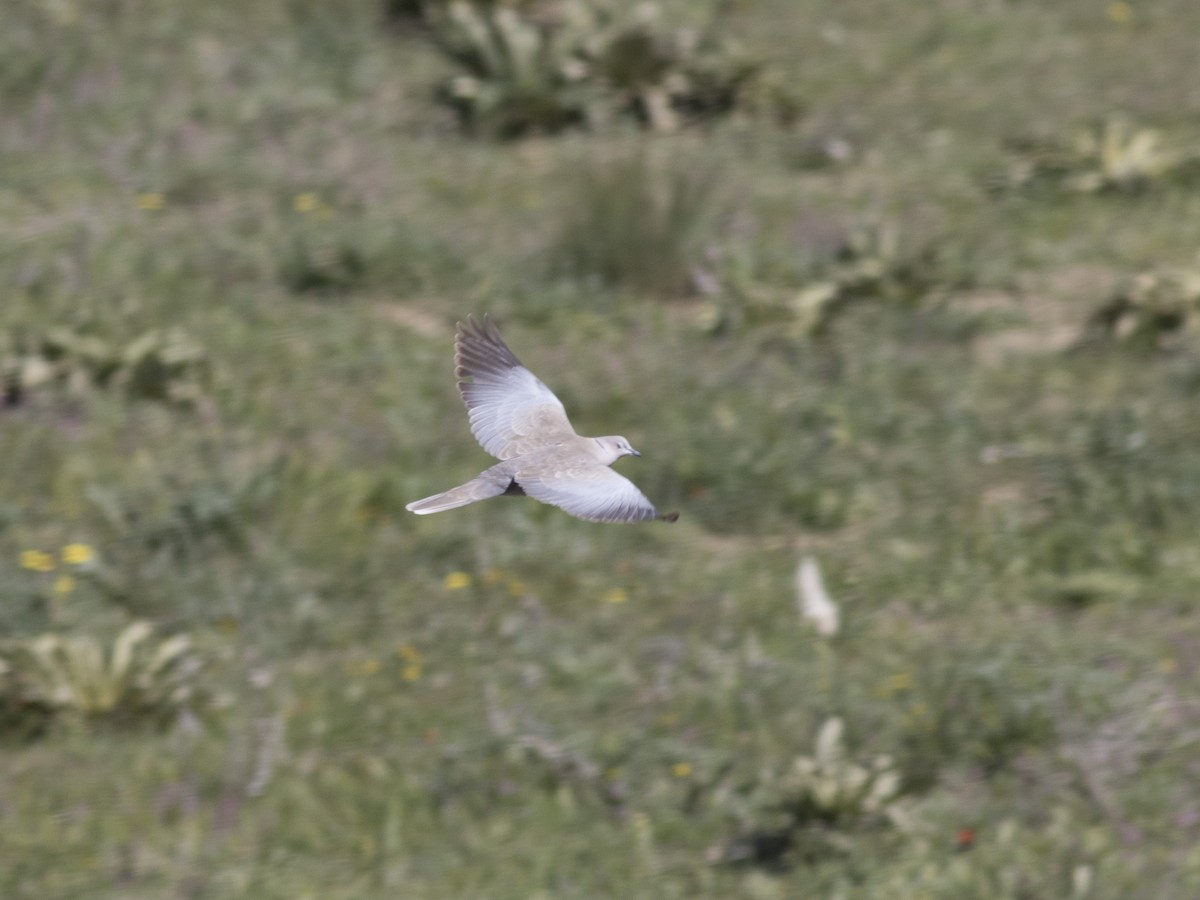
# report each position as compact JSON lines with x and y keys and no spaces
{"x":511,"y":411}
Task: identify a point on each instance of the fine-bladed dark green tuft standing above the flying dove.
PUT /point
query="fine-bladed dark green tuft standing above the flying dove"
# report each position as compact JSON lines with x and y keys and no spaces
{"x":633,"y":224}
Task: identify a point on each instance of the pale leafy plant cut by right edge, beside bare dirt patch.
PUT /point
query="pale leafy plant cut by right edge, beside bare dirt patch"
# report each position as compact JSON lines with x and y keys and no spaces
{"x":1149,"y":309}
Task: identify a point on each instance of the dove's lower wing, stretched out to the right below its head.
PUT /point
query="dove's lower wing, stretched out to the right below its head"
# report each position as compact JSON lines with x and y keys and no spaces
{"x":590,"y":491}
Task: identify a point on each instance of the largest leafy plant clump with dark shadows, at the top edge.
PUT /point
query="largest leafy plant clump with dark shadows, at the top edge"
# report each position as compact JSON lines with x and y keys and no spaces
{"x":578,"y":64}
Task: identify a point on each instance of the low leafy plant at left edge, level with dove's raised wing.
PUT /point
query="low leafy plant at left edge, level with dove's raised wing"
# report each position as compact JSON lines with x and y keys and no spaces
{"x":163,"y":365}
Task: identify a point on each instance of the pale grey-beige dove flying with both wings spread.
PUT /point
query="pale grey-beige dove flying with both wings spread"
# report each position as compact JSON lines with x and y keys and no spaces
{"x":520,"y":422}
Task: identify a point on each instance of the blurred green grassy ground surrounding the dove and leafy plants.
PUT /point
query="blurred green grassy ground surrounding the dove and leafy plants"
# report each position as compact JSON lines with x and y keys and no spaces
{"x":506,"y":703}
